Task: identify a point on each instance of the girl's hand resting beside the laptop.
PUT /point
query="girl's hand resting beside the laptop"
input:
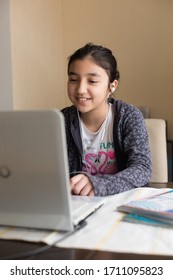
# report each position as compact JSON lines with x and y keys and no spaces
{"x":81,"y":185}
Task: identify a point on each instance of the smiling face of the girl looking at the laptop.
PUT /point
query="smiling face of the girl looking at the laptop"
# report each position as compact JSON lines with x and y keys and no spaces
{"x":88,"y":86}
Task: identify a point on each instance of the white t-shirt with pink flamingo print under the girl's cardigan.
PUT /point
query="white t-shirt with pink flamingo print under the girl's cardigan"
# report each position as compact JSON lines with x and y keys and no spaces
{"x":98,"y":149}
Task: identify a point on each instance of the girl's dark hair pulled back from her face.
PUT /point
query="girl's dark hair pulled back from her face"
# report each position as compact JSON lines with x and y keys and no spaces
{"x":102,"y":57}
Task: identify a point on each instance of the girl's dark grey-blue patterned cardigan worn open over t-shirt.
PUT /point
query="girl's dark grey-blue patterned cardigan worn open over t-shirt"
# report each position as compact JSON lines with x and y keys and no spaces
{"x":131,"y":147}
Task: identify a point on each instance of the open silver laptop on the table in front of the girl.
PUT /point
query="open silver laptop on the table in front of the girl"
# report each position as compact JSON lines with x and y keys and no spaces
{"x":34,"y":175}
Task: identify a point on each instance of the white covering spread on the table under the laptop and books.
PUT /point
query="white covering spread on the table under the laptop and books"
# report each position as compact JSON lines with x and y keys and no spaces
{"x":105,"y":230}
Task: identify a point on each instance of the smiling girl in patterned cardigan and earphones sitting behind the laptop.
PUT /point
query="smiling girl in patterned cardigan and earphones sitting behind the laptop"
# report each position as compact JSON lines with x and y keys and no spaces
{"x":108,"y":148}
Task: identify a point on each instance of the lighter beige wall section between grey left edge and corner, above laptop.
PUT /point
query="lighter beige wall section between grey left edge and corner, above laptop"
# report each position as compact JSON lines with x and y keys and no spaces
{"x":37,"y":60}
